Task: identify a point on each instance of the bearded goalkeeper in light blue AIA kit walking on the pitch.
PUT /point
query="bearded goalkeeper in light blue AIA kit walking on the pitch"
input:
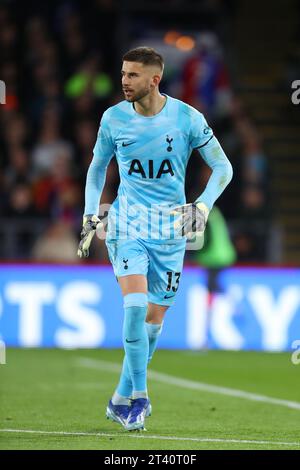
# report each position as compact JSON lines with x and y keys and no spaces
{"x":152,"y":136}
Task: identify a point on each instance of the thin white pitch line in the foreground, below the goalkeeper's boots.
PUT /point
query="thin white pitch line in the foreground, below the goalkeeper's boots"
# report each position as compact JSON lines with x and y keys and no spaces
{"x":160,"y":438}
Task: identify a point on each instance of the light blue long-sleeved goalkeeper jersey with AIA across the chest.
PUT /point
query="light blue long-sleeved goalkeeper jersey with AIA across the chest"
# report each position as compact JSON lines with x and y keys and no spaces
{"x":152,"y":155}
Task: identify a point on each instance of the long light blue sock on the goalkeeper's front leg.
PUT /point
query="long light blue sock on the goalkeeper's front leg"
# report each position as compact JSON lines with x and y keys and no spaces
{"x":136,"y":345}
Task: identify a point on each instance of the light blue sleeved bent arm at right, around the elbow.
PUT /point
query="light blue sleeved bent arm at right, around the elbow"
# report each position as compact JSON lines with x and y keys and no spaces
{"x":215,"y":157}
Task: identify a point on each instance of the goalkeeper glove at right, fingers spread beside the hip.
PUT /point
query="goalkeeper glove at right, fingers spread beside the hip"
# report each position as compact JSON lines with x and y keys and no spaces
{"x":192,"y":220}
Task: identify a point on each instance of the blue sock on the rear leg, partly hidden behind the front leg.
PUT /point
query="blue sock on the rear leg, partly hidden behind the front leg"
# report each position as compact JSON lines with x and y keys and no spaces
{"x":125,"y":385}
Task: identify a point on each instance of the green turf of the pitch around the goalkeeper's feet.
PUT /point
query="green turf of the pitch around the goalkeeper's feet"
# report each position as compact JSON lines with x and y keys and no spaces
{"x":50,"y":390}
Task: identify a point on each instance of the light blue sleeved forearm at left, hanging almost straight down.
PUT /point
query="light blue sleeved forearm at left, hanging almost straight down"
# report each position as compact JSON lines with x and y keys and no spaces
{"x":94,"y":186}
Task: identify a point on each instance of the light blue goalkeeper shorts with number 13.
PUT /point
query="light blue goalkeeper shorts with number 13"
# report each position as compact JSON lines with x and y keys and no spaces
{"x":160,"y":263}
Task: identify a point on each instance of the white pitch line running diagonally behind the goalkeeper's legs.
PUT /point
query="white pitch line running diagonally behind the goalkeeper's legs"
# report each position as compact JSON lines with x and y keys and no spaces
{"x":190,"y":384}
